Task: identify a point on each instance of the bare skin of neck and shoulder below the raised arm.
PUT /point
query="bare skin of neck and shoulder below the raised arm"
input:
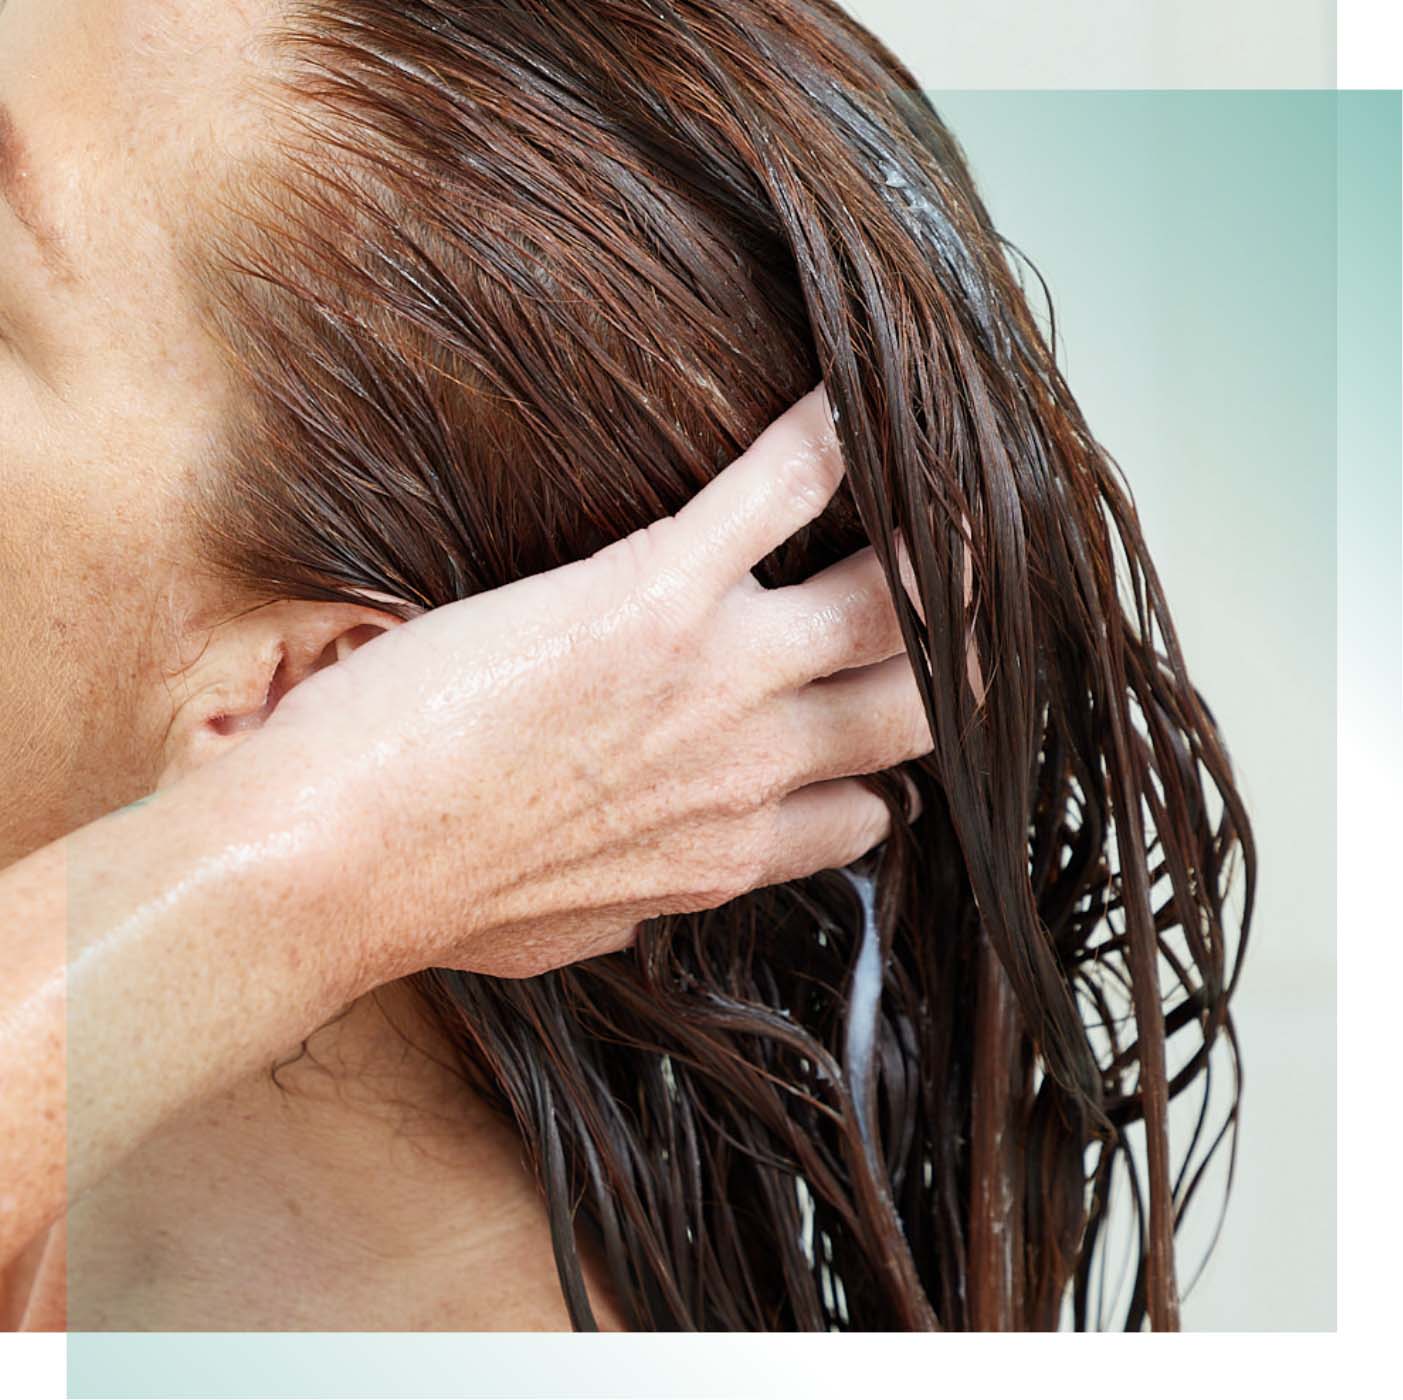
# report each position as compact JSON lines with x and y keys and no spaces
{"x":364,"y":1189}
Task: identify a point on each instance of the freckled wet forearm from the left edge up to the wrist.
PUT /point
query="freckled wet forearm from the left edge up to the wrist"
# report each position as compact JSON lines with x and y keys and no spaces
{"x":154,"y":959}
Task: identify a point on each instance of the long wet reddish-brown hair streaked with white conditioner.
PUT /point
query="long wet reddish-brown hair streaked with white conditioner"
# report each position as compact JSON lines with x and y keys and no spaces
{"x":513,"y":278}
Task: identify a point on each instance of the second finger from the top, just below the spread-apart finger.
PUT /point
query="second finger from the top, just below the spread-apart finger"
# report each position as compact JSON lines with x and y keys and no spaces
{"x":841,"y":618}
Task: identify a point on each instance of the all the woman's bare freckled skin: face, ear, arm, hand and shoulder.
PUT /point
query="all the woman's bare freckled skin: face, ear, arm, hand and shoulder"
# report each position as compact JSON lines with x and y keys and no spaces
{"x":330,"y":783}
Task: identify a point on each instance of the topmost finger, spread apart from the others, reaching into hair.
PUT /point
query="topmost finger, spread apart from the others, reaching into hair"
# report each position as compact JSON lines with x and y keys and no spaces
{"x":781,"y":483}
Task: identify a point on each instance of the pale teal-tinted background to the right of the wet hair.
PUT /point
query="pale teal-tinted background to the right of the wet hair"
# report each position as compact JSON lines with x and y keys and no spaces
{"x":1189,"y":245}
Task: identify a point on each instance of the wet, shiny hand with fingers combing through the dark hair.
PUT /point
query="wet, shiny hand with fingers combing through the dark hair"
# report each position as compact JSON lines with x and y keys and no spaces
{"x":521,"y":778}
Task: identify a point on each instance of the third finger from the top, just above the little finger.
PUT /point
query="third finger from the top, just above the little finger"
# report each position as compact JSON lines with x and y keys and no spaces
{"x":861,"y":722}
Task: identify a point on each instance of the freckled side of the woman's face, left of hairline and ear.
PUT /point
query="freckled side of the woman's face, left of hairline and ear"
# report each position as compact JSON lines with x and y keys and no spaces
{"x":107,"y":392}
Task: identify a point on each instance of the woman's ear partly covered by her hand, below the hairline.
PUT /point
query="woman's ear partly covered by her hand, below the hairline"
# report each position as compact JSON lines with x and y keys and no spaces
{"x":249,"y":664}
